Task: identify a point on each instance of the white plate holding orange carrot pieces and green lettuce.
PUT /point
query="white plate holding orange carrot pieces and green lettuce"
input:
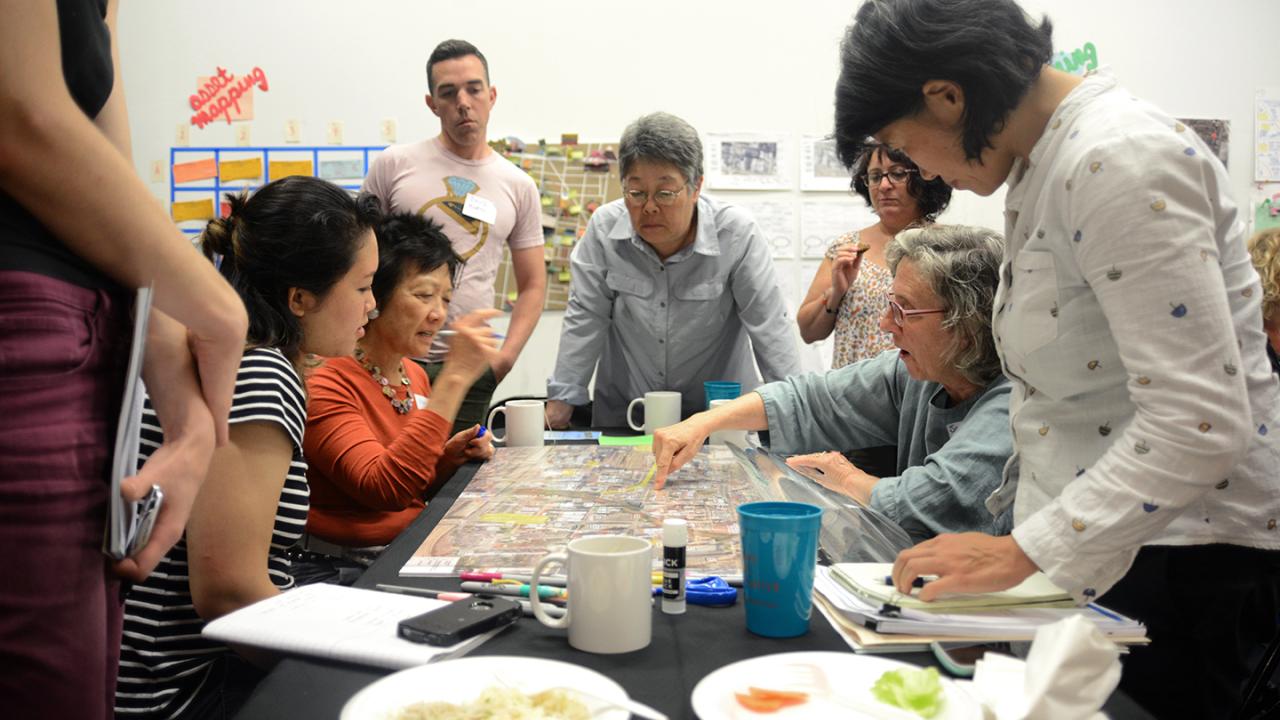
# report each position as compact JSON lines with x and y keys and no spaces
{"x":848,"y":676}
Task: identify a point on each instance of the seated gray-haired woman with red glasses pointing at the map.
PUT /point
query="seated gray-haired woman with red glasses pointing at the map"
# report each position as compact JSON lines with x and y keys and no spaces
{"x":940,"y":398}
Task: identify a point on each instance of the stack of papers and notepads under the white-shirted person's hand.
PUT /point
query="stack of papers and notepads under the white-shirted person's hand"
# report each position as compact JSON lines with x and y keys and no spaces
{"x":871,"y":623}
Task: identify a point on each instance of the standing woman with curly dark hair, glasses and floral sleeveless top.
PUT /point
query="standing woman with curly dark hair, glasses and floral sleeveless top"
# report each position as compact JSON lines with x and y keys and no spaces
{"x":849,"y":290}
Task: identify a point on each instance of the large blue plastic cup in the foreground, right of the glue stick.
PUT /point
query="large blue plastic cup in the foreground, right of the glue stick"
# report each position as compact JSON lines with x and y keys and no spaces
{"x":780,"y":553}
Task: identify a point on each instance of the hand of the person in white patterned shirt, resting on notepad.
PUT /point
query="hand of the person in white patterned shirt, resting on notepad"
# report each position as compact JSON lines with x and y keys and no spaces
{"x":964,"y":563}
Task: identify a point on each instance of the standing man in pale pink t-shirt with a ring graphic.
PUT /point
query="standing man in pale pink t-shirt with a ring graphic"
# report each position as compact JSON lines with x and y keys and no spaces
{"x":483,"y":202}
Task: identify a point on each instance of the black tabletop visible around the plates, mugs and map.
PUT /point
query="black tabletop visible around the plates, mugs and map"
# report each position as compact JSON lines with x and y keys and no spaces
{"x":685,"y":649}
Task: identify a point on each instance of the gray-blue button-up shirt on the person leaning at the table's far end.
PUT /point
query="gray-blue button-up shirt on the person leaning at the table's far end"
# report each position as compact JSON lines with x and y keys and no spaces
{"x":670,"y":326}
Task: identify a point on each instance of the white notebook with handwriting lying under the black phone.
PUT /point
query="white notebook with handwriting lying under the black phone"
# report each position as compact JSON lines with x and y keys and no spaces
{"x":339,"y":623}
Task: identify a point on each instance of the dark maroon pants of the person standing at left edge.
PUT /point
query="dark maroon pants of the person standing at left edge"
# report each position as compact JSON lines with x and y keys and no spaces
{"x":63,"y":356}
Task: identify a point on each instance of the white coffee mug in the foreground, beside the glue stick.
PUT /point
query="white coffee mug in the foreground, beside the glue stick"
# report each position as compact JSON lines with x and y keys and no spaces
{"x":610,"y":594}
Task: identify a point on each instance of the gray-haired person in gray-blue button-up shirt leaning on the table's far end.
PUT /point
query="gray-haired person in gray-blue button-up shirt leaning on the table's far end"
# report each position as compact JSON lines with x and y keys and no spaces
{"x":669,"y":289}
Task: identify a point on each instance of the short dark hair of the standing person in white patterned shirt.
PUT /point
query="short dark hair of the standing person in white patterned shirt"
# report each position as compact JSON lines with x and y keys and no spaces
{"x":990,"y":48}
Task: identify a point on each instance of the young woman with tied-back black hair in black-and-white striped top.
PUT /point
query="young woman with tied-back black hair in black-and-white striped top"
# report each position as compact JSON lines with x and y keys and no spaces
{"x":301,"y":254}
